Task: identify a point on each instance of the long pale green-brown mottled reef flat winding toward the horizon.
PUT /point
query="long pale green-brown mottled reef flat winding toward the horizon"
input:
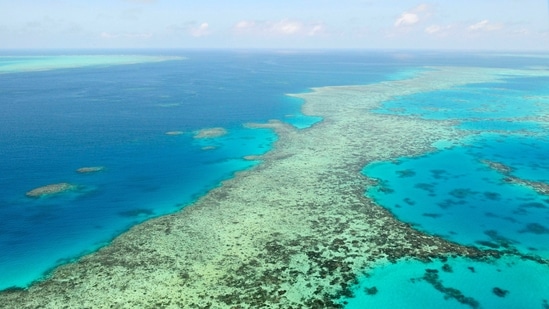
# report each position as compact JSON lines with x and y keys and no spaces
{"x":294,"y":232}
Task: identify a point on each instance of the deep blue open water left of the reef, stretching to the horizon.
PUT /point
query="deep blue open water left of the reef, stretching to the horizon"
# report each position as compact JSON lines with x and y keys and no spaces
{"x":54,"y":122}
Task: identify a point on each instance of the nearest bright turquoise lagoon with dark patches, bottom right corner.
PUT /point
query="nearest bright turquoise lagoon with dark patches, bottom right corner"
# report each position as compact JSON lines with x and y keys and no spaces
{"x":454,"y":283}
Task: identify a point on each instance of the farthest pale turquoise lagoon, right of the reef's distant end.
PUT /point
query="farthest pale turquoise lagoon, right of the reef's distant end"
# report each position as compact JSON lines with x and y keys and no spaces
{"x":514,"y":98}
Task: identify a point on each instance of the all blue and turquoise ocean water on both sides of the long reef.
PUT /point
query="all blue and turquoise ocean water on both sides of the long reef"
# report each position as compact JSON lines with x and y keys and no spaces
{"x":136,"y":119}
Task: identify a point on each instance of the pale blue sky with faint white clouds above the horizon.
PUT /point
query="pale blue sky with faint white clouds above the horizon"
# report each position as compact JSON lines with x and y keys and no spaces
{"x":504,"y":25}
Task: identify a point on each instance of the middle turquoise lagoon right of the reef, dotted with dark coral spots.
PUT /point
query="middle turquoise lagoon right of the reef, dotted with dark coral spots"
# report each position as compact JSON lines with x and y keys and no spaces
{"x":443,"y":192}
